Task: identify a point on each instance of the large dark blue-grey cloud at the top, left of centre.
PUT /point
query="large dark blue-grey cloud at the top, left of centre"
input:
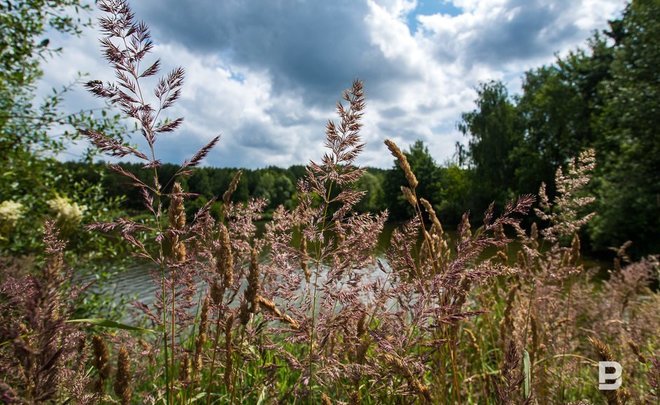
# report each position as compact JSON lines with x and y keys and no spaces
{"x":318,"y":46}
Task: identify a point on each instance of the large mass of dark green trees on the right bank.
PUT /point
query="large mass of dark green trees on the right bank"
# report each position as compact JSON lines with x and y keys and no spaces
{"x":604,"y":98}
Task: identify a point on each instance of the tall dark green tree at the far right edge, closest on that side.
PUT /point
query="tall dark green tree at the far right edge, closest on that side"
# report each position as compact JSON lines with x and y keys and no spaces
{"x":628,"y":188}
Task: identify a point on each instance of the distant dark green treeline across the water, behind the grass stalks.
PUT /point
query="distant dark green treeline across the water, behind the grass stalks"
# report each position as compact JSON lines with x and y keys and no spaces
{"x":448,"y":185}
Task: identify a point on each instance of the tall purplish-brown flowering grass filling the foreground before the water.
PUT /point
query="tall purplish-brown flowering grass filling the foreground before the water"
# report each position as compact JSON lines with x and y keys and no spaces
{"x":306,"y":312}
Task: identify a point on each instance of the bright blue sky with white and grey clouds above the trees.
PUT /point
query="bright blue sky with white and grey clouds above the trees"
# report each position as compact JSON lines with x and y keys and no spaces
{"x":266,"y":74}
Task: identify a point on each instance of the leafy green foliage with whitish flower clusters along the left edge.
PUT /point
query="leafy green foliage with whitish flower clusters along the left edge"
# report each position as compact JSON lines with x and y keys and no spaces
{"x":30,"y":134}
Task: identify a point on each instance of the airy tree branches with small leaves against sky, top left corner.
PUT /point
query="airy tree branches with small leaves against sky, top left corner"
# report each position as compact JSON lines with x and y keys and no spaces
{"x":23,"y":23}
